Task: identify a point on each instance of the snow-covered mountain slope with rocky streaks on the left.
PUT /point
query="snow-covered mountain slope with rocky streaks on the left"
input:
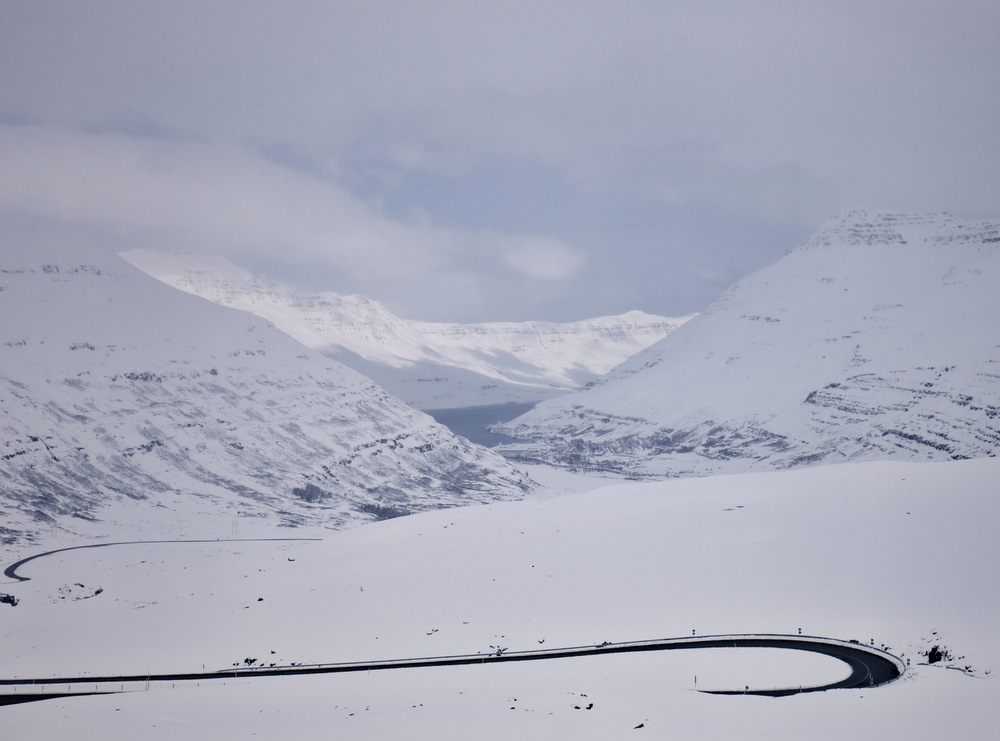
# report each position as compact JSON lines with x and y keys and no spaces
{"x":117,"y":390}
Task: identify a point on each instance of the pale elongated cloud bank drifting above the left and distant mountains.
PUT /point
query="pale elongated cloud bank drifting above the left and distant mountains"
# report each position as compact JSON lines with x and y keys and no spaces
{"x":213,"y":198}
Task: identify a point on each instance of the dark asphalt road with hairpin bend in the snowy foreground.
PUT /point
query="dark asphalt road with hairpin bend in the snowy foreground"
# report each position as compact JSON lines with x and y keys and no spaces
{"x":870,"y":667}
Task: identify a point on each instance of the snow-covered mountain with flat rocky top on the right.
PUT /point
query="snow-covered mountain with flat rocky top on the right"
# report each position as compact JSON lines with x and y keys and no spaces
{"x":877,"y":339}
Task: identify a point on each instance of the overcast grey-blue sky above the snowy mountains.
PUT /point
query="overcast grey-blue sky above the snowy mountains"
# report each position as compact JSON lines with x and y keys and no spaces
{"x":499,"y":160}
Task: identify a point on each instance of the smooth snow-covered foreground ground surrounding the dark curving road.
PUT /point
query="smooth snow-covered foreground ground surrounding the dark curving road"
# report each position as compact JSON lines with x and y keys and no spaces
{"x":900,"y":553}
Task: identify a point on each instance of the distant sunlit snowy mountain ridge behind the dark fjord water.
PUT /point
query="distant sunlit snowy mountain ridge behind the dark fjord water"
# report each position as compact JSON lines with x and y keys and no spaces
{"x":428,"y":365}
